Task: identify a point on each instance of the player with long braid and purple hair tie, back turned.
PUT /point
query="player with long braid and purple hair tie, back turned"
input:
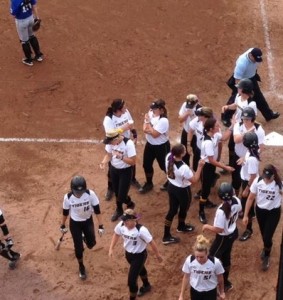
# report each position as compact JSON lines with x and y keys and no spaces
{"x":180,"y":177}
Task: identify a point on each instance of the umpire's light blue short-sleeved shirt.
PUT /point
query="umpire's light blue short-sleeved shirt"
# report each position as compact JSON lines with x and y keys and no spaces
{"x":245,"y":68}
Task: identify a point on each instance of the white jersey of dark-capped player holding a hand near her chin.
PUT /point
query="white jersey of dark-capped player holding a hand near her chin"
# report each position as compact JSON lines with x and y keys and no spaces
{"x":161,"y":125}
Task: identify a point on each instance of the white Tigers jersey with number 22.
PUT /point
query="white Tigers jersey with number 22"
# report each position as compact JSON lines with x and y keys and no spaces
{"x":267,"y":195}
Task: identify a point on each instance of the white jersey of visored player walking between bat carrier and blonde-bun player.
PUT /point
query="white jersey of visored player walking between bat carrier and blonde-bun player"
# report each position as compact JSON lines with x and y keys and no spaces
{"x":135,"y":240}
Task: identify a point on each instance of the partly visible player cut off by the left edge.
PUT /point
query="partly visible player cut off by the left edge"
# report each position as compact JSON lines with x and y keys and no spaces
{"x":5,"y":247}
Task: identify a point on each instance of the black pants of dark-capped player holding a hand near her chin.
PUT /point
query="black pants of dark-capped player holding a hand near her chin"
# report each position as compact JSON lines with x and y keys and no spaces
{"x":152,"y":152}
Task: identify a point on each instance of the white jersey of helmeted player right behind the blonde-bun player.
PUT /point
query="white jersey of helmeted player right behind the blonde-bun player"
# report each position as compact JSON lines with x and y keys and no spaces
{"x":229,"y":225}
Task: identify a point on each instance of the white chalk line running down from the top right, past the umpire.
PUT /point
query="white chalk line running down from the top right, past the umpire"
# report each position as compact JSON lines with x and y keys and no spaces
{"x":271,"y":75}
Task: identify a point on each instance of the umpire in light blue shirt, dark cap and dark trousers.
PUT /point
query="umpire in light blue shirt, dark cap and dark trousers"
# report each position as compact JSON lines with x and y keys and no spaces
{"x":246,"y":67}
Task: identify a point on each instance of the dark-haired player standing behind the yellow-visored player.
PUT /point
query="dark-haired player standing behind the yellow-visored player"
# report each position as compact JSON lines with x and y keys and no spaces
{"x":118,"y":117}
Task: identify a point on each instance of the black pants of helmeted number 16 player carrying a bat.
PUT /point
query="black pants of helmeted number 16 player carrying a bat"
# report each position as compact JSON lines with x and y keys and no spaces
{"x":77,"y":229}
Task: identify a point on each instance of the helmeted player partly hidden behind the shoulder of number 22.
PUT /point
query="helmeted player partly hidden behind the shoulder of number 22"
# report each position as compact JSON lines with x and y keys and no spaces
{"x":249,"y":171}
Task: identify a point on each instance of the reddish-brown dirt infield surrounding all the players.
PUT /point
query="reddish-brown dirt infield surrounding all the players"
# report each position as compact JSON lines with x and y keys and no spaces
{"x":137,"y":50}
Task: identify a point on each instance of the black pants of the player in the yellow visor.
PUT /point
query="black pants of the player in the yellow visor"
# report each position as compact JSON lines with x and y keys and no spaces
{"x":121,"y":182}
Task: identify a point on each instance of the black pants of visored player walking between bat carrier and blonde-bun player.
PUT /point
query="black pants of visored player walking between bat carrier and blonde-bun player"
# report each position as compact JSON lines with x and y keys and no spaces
{"x":137,"y":268}
